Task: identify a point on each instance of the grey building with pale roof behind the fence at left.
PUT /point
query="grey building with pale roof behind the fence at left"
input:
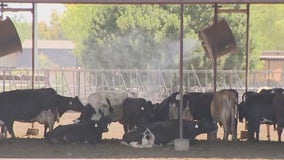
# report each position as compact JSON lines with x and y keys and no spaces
{"x":59,"y":52}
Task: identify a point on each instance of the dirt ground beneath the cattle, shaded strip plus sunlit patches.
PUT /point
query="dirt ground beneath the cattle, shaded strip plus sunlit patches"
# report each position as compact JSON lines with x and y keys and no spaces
{"x":111,"y":148}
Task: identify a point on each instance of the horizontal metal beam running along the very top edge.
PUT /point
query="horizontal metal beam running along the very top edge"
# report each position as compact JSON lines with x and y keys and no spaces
{"x":150,"y":1}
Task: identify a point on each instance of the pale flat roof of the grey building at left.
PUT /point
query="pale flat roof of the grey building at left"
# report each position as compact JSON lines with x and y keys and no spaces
{"x":50,"y":44}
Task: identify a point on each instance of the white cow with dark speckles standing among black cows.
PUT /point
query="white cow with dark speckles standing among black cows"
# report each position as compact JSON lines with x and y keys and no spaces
{"x":108,"y":103}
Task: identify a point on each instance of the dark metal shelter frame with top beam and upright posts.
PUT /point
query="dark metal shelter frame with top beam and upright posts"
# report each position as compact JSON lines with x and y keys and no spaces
{"x":181,"y":2}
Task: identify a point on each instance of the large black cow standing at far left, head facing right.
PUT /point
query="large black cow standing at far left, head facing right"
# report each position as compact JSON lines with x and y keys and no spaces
{"x":35,"y":105}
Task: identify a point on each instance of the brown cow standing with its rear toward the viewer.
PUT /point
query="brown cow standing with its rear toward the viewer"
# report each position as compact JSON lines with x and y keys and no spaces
{"x":224,"y":110}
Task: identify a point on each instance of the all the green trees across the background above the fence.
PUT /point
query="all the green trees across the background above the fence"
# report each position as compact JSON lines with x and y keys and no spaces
{"x":147,"y":36}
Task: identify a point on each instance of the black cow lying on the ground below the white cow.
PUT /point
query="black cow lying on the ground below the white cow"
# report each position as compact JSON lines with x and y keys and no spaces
{"x":83,"y":131}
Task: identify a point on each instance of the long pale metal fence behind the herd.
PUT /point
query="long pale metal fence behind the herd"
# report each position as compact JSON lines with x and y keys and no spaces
{"x":151,"y":84}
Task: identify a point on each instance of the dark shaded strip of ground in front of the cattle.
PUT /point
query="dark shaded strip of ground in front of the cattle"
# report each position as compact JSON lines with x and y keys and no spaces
{"x":111,"y":148}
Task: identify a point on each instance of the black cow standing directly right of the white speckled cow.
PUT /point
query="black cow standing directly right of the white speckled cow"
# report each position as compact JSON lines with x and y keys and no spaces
{"x":136,"y":112}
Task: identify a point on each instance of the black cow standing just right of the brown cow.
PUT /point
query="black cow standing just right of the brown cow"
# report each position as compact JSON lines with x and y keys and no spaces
{"x":256,"y":109}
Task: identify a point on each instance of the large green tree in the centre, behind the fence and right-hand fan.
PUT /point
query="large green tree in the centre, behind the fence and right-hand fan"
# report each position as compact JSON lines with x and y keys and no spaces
{"x":147,"y":36}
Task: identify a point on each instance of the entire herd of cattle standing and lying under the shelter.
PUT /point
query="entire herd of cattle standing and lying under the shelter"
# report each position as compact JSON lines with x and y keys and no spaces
{"x":145,"y":124}
